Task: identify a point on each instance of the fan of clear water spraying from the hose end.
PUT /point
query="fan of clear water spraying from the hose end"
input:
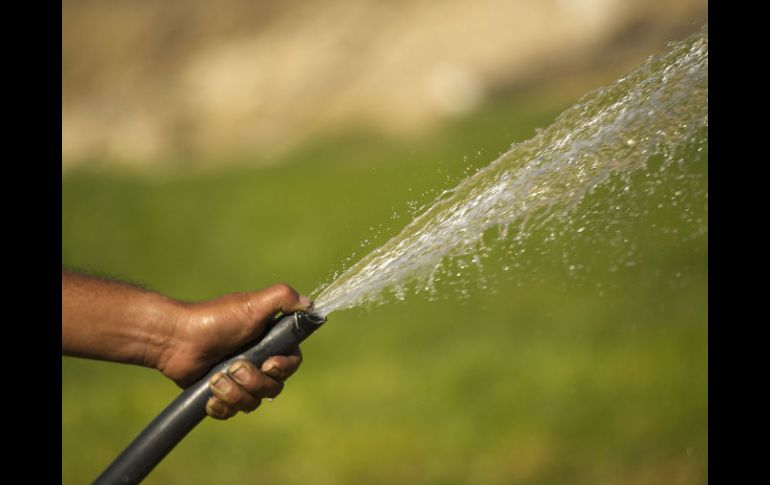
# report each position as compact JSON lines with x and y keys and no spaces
{"x":614,"y":131}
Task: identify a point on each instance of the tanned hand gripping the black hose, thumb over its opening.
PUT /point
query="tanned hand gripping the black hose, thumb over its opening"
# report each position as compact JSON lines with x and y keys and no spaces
{"x":206,"y":332}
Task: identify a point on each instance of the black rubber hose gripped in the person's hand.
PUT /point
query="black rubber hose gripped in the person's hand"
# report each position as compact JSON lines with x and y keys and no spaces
{"x":189,"y":409}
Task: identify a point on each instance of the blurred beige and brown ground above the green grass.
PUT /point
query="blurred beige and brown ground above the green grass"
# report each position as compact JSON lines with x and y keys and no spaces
{"x":143,"y":80}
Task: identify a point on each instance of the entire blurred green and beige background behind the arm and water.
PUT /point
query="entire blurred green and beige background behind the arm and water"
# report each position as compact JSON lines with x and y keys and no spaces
{"x":218,"y":147}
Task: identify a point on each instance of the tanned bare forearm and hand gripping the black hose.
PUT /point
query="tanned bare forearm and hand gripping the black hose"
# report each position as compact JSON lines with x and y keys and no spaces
{"x":115,"y":321}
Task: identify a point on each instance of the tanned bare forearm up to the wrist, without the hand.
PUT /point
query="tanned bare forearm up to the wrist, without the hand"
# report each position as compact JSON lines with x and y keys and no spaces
{"x":110,"y":320}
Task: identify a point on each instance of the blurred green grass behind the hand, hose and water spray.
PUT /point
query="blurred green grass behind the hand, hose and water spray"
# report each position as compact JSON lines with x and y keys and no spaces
{"x":599,"y":377}
